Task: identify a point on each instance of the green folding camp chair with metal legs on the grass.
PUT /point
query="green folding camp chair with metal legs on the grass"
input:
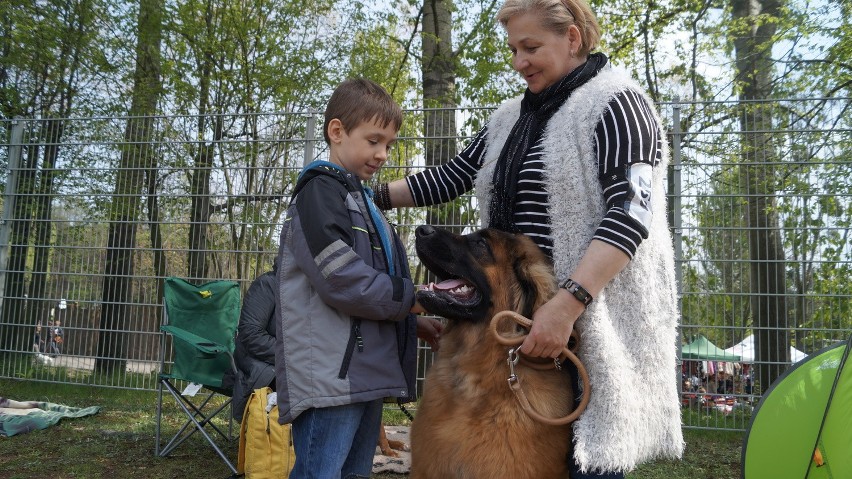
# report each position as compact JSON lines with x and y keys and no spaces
{"x":201,"y":321}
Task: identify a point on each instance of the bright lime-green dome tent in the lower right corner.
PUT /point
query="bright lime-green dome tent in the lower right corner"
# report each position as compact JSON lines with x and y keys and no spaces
{"x":802,"y":427}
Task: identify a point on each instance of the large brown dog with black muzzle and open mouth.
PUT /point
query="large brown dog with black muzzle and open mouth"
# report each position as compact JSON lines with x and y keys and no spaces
{"x":469,"y":423}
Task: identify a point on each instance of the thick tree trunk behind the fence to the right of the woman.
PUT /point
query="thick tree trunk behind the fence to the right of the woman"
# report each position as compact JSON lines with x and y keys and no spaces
{"x":758,"y":178}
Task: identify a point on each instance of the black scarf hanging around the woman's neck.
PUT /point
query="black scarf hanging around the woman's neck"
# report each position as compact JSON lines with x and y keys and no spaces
{"x":536,"y":110}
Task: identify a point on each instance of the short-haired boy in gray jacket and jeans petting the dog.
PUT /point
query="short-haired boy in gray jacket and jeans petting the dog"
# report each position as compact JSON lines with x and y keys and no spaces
{"x":345,"y":297}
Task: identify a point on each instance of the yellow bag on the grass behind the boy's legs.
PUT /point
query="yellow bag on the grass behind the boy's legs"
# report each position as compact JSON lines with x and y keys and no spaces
{"x":266,"y":447}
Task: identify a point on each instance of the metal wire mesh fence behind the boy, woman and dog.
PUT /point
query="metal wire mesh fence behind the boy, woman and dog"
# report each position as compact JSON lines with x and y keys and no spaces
{"x":97,"y":211}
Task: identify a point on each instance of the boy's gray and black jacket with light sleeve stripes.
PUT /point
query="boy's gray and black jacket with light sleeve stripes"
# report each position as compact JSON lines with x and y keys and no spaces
{"x":348,"y":336}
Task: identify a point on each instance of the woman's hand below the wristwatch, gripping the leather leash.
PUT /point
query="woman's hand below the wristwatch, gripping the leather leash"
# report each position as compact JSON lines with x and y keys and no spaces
{"x":552,"y":325}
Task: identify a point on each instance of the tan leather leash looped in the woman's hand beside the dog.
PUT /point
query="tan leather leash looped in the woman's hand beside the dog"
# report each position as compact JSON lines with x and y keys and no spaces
{"x":515,"y":381}
